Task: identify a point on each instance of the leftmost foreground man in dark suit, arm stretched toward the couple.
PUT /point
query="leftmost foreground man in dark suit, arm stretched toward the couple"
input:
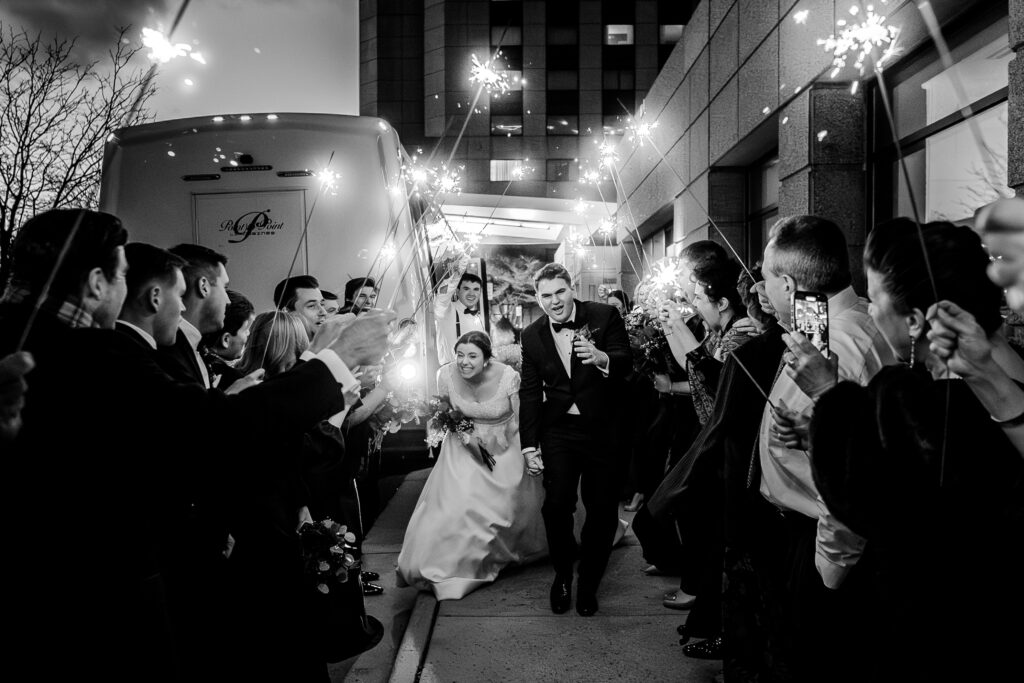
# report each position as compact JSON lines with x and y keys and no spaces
{"x":69,"y":464}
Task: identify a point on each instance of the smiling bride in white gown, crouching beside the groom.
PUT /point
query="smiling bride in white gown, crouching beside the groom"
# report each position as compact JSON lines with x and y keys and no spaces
{"x":472,"y":521}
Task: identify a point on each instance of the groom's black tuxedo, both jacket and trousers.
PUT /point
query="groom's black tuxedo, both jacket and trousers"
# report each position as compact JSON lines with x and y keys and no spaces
{"x":577,"y":448}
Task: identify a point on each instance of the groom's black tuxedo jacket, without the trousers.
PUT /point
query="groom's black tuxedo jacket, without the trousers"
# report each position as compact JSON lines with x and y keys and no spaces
{"x":547,"y":393}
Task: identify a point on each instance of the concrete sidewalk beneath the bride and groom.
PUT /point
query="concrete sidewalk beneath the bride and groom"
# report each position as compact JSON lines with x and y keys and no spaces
{"x":506,"y":632}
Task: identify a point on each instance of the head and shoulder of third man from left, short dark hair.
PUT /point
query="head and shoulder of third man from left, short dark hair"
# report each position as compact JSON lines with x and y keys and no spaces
{"x":205,"y":301}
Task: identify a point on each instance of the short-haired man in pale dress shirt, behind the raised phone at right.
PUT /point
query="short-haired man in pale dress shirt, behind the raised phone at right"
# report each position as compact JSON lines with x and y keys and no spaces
{"x":807,"y":253}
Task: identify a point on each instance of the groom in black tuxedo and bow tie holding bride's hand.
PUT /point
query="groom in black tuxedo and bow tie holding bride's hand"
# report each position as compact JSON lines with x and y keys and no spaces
{"x":574,"y":362}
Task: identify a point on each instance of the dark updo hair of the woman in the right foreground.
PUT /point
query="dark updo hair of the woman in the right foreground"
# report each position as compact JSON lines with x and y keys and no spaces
{"x":959,"y":264}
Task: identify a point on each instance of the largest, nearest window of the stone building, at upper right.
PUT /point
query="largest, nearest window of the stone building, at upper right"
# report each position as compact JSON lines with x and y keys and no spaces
{"x":952,"y":176}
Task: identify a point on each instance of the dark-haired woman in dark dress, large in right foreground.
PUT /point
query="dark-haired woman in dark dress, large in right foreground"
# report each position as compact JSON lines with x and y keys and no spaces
{"x":917,"y":465}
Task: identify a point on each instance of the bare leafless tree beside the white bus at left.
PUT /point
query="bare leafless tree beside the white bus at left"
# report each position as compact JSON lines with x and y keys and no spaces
{"x":56,"y":116}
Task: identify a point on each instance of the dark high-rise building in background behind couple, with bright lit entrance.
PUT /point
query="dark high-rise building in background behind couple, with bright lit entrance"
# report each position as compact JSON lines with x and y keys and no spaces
{"x":578,"y":70}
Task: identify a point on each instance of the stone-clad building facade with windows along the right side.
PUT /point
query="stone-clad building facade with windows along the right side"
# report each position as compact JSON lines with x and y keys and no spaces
{"x":751,"y":126}
